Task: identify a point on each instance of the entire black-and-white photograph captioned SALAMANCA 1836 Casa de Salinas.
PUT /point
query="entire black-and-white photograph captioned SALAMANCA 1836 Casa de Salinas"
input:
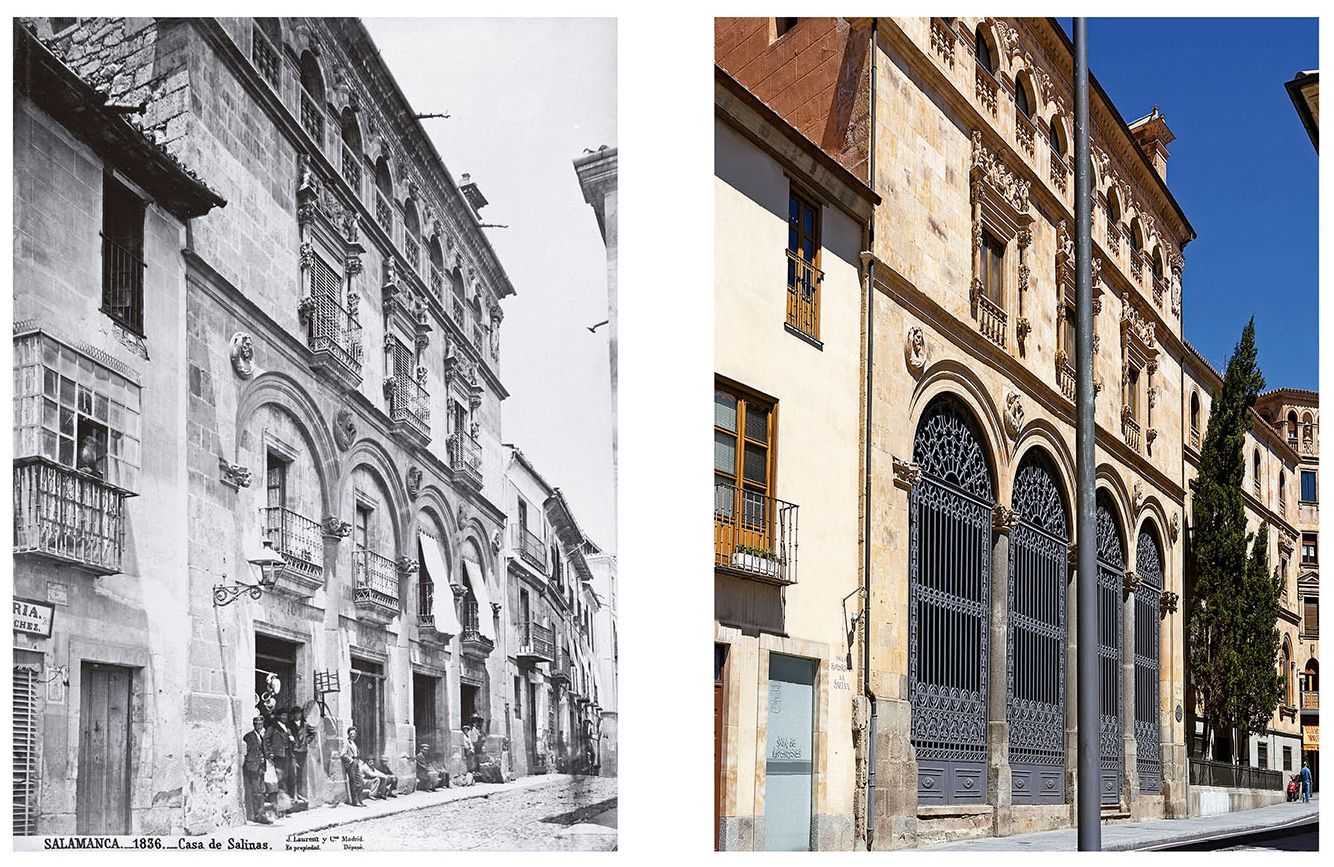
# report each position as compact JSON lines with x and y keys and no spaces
{"x":315,"y":437}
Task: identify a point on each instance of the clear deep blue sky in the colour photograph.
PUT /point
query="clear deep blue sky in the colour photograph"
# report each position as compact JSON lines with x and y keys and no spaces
{"x":1243,"y":169}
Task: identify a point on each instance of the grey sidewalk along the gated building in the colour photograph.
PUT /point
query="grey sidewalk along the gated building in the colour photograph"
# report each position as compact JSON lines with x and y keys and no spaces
{"x":1140,"y":836}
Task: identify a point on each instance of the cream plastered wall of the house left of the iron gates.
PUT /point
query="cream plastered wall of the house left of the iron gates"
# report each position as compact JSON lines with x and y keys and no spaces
{"x":817,"y":449}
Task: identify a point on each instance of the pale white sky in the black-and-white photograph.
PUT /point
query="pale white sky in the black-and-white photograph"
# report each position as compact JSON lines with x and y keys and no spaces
{"x":526,"y":97}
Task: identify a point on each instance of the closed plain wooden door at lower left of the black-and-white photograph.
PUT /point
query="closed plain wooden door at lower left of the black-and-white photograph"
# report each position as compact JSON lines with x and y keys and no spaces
{"x":105,"y":744}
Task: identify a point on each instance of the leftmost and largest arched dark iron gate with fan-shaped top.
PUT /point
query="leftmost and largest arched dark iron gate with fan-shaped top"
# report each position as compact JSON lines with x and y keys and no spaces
{"x":950,"y":580}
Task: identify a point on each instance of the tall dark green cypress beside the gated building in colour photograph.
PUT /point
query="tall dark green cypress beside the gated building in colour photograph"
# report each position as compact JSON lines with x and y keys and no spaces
{"x":1233,"y":609}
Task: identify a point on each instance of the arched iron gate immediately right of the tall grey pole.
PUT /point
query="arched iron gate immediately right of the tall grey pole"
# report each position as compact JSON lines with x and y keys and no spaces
{"x":1112,"y":573}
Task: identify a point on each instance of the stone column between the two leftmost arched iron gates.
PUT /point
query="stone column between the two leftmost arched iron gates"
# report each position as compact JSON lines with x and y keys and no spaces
{"x":1000,"y":784}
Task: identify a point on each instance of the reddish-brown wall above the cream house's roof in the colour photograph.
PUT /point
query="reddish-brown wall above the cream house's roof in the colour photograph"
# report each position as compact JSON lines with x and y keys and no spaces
{"x":816,"y":77}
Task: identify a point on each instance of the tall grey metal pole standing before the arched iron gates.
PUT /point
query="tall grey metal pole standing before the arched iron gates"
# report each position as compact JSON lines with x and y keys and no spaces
{"x":1087,"y":600}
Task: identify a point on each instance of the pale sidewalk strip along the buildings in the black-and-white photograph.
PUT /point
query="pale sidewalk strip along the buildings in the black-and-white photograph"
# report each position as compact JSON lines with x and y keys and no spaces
{"x":323,"y":818}
